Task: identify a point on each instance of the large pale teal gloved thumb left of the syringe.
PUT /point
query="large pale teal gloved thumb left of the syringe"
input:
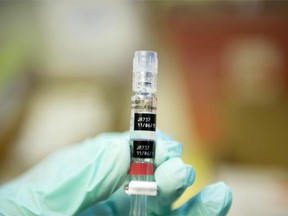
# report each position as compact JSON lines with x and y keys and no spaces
{"x":76,"y":177}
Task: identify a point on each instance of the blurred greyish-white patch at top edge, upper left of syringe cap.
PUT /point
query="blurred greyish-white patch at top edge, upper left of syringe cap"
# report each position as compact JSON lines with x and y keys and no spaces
{"x":84,"y":37}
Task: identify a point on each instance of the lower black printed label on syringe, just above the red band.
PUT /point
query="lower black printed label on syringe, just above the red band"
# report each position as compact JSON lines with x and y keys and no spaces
{"x":143,"y":149}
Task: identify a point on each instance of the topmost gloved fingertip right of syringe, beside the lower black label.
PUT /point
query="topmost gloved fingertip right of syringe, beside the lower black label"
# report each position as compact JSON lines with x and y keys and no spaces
{"x":166,"y":148}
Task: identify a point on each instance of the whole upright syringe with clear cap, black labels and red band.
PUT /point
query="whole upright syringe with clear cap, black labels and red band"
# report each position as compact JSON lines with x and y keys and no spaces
{"x":143,"y":131}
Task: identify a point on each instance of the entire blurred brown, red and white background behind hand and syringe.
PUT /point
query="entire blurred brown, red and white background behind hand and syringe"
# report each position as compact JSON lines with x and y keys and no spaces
{"x":66,"y":74}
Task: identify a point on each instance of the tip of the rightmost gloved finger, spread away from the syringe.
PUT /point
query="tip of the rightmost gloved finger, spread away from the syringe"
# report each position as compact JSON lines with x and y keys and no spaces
{"x":217,"y":199}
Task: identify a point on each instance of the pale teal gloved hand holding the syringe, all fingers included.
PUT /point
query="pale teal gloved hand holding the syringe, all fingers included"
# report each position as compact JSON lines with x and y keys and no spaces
{"x":88,"y":179}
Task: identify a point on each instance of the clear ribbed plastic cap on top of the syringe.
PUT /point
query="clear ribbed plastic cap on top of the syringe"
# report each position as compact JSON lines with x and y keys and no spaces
{"x":145,"y":68}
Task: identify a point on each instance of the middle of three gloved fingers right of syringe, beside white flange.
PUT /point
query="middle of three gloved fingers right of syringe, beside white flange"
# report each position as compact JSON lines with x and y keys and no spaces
{"x":172,"y":177}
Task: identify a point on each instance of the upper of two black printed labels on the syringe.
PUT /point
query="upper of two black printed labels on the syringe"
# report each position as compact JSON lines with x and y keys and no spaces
{"x":145,"y":121}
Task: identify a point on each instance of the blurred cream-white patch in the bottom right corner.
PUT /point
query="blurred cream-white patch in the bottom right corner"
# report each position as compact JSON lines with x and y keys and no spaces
{"x":256,"y":190}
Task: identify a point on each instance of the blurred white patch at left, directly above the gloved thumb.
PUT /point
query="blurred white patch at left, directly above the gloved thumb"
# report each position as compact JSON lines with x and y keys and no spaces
{"x":57,"y":116}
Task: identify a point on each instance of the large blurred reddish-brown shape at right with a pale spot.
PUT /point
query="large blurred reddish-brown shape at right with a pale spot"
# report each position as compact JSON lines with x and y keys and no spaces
{"x":234,"y":57}
